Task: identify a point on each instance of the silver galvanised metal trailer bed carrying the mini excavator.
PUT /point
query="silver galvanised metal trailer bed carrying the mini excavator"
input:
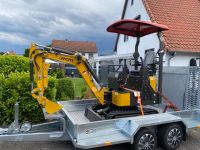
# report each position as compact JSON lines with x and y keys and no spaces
{"x":89,"y":134}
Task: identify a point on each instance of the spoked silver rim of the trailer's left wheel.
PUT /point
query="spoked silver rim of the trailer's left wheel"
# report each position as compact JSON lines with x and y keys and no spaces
{"x":147,"y":142}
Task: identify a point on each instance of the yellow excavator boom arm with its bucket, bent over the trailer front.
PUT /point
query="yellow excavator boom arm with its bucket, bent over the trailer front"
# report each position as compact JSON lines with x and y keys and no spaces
{"x":38,"y":57}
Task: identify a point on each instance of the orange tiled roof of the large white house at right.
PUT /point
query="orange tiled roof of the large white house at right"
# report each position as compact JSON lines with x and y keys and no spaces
{"x":183,"y":19}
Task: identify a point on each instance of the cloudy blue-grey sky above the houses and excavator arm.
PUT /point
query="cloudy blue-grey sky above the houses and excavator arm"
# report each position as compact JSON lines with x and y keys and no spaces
{"x":25,"y":21}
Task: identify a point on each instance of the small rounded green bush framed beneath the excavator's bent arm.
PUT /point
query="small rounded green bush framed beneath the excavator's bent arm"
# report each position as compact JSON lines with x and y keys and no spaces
{"x":65,"y":89}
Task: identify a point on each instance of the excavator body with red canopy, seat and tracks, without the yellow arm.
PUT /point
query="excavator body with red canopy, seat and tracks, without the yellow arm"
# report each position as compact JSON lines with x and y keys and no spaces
{"x":133,"y":84}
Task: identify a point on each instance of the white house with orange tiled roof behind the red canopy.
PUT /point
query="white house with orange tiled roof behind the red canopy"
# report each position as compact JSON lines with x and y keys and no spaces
{"x":182,"y":40}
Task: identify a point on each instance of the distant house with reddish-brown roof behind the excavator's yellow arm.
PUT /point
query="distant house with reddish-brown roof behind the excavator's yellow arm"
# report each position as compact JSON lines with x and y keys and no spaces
{"x":87,"y":49}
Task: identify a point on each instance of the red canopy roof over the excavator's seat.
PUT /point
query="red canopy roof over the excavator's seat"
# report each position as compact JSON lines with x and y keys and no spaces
{"x":135,"y":28}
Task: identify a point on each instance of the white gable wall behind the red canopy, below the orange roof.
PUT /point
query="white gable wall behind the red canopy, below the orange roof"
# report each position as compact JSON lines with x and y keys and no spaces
{"x":147,"y":42}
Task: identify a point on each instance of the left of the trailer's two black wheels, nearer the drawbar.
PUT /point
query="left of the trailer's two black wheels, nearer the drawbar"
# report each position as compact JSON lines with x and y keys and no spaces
{"x":143,"y":139}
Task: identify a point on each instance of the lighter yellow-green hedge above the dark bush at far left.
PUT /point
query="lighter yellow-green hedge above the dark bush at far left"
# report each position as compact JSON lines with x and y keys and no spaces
{"x":11,"y":63}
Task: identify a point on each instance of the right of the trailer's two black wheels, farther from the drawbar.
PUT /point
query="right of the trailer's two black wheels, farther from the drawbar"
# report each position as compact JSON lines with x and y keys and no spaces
{"x":170,"y":136}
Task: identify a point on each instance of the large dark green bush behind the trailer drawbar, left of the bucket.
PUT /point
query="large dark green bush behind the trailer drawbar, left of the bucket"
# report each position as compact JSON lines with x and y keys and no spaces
{"x":16,"y":88}
